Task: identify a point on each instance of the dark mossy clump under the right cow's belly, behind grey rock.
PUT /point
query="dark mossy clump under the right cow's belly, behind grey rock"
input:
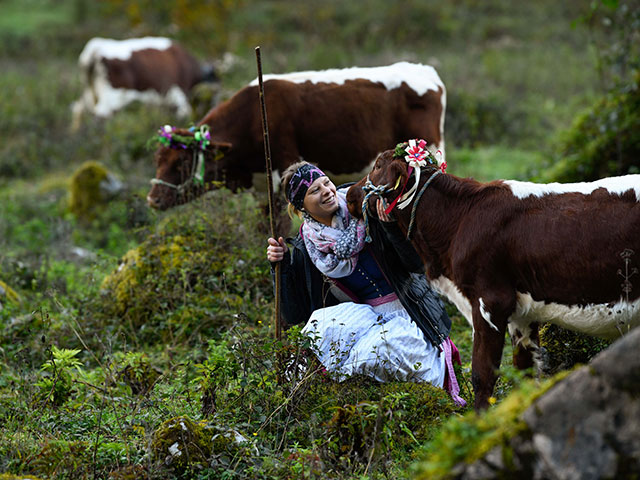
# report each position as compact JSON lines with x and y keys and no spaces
{"x":563,"y":349}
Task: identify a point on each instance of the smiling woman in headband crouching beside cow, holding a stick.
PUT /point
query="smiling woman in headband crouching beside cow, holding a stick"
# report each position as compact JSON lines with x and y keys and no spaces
{"x":367,"y":306}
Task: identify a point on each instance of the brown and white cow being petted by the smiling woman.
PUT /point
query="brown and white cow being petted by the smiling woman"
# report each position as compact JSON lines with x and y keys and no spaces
{"x":512,"y":254}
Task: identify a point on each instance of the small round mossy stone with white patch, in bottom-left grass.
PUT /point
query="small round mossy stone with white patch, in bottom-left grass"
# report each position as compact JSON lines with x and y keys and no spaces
{"x":182,"y":444}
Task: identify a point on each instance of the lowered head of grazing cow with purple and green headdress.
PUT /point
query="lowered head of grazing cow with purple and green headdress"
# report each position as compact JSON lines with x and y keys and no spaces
{"x":188,"y":163}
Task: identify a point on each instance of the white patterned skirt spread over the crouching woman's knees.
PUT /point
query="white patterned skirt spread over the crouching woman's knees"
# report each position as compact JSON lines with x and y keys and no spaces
{"x":381,"y":342}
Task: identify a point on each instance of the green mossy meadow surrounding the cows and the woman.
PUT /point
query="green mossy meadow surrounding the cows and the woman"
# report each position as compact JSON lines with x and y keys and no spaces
{"x":126,"y":331}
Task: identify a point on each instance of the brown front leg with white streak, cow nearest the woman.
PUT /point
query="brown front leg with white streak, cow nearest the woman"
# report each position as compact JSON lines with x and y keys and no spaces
{"x":490,"y":316}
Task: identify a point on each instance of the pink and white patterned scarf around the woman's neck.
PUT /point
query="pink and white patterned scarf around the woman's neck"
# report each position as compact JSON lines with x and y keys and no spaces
{"x":334,"y":249}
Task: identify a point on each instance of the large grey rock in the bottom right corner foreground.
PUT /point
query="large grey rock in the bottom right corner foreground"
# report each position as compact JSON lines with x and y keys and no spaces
{"x":583,"y":427}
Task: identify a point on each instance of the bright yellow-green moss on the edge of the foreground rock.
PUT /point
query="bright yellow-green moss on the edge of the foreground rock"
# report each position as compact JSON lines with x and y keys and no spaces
{"x":468,"y":438}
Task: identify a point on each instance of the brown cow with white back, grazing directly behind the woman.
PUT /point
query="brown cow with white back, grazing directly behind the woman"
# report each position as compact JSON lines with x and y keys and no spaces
{"x":339,"y":119}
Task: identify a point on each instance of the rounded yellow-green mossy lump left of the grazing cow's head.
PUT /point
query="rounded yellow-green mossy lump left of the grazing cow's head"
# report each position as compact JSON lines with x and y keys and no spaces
{"x":85,"y":194}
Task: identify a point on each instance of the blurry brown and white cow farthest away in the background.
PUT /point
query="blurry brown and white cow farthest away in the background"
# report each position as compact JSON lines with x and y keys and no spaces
{"x":153,"y":70}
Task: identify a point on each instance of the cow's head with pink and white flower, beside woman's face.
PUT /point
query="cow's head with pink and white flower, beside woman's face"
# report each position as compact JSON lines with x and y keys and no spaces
{"x":394,"y":174}
